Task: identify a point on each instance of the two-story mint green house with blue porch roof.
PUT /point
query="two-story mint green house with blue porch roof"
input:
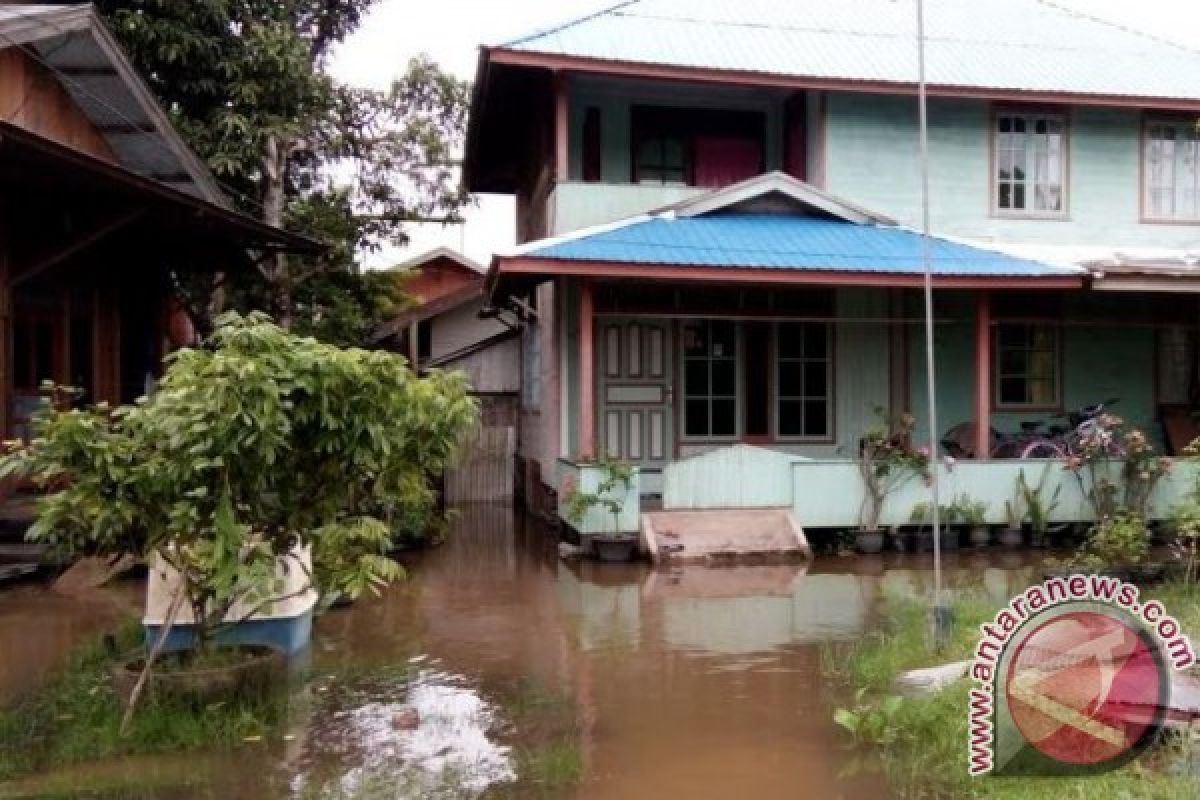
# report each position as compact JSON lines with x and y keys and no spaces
{"x":718,"y":207}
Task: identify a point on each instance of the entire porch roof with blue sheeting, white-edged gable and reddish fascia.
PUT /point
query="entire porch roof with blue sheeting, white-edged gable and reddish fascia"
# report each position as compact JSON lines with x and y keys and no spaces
{"x":742,"y":234}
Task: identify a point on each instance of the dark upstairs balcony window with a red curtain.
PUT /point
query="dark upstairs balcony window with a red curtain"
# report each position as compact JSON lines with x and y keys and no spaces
{"x":706,"y":148}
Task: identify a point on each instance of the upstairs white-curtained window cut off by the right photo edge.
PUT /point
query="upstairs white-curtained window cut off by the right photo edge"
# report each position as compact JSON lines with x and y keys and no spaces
{"x":1171,"y":176}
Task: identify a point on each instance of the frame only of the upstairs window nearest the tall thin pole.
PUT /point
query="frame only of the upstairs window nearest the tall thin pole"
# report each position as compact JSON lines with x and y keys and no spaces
{"x":1034,"y":146}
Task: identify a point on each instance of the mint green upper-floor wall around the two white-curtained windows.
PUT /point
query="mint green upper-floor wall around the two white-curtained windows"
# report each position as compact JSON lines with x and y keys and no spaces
{"x":872,"y":160}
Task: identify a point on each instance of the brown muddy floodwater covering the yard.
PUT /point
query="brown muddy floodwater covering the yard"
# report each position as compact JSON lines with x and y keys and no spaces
{"x":688,"y":683}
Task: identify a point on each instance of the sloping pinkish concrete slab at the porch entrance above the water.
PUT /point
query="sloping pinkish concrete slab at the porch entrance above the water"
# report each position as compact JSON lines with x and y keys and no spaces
{"x":734,"y":536}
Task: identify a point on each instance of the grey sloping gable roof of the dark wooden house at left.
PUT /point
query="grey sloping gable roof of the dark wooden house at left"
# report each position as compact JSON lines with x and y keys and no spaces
{"x":74,"y":44}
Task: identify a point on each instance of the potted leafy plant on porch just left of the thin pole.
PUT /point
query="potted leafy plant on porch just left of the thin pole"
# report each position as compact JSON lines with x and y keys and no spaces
{"x":886,"y":462}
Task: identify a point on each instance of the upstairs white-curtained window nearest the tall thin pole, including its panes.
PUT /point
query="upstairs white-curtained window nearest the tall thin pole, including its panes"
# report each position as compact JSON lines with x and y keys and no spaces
{"x":1030,"y":164}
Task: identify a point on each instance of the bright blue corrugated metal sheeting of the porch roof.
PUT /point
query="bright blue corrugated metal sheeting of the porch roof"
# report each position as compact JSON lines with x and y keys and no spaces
{"x":788,"y":243}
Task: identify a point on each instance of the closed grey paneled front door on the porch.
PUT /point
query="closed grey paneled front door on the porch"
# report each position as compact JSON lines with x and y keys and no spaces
{"x":634,"y":381}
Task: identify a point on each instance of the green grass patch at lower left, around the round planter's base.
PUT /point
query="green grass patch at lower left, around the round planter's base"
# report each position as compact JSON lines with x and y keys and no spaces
{"x":76,"y":718}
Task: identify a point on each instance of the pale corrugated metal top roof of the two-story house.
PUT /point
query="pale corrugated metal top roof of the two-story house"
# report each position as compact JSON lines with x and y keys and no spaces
{"x":998,"y":45}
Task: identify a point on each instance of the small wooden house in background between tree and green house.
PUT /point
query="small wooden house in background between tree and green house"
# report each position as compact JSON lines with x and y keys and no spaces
{"x":451,"y":328}
